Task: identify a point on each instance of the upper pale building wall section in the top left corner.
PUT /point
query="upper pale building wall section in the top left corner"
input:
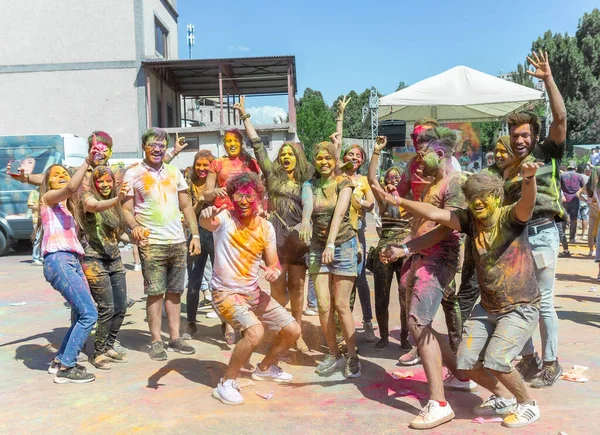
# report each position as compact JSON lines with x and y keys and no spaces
{"x":46,"y":32}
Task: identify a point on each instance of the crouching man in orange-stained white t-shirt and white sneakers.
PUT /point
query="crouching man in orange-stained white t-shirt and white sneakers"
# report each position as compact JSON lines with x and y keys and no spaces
{"x":242,"y":238}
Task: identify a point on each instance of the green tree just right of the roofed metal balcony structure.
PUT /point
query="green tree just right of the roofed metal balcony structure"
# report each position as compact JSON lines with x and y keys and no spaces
{"x":315,"y":122}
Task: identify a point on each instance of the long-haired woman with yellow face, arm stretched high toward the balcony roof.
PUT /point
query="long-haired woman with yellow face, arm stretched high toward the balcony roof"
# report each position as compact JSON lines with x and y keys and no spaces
{"x":284,"y":178}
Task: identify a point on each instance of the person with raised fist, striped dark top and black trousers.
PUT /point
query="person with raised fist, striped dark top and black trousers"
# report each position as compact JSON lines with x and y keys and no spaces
{"x":395,"y":227}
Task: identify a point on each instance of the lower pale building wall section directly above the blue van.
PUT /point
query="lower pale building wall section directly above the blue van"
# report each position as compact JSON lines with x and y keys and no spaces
{"x":75,"y":102}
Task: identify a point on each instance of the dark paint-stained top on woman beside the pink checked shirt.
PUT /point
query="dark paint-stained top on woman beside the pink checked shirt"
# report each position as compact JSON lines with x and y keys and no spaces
{"x":97,"y":240}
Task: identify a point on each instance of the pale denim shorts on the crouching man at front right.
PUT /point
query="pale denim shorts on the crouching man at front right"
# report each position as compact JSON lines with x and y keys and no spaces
{"x":494,"y":340}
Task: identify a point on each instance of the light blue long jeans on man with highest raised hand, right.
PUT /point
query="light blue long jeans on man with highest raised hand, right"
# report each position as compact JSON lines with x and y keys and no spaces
{"x":544,"y":246}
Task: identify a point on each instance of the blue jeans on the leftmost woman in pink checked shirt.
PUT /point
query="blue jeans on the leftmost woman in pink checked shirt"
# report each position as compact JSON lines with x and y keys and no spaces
{"x":63,"y":271}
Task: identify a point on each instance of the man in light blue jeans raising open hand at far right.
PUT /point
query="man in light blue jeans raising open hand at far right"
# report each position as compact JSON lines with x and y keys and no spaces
{"x":543,"y":232}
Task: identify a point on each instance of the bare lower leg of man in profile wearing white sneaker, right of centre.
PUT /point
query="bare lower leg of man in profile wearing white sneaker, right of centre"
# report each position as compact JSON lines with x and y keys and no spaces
{"x":431,"y":356}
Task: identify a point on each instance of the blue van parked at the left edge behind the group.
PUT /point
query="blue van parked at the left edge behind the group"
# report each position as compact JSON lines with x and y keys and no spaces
{"x":35,"y":154}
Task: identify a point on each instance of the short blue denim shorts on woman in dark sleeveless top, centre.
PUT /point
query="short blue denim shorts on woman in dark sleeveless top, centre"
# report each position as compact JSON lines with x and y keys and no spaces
{"x":345,"y":259}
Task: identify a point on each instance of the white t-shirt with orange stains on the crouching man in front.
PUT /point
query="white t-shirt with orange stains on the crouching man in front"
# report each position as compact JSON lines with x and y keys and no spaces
{"x":238,"y":252}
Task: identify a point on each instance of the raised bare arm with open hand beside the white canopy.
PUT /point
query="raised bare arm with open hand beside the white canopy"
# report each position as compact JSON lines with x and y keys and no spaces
{"x":558,"y":128}
